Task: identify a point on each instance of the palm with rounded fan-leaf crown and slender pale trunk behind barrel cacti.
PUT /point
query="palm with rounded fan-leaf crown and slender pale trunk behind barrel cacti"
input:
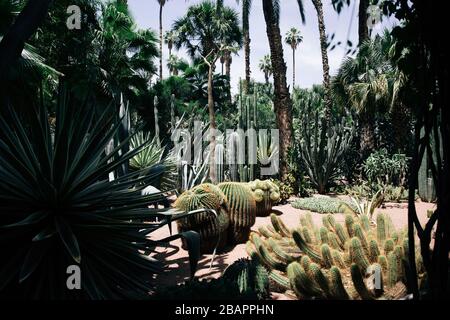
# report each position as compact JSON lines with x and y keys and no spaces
{"x":207,"y":31}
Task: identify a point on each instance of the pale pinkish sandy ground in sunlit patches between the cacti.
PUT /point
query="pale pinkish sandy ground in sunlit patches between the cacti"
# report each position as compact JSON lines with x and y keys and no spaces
{"x":178,"y":262}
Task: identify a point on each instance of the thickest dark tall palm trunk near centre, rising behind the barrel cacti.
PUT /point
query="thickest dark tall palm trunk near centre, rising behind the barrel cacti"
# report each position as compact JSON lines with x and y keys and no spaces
{"x":282,"y":99}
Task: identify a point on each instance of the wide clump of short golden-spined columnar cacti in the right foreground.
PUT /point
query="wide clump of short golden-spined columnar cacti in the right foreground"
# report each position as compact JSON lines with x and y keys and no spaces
{"x":353,"y":260}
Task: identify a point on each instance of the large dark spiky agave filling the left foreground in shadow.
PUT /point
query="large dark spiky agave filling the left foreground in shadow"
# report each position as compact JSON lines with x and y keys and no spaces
{"x":58,"y":208}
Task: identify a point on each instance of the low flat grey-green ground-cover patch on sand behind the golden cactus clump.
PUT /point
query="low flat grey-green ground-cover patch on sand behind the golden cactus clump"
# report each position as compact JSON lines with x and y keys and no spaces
{"x":322,"y":204}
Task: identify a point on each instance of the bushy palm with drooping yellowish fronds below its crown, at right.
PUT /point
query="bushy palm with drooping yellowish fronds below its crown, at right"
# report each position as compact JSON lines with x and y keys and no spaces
{"x":369,"y":84}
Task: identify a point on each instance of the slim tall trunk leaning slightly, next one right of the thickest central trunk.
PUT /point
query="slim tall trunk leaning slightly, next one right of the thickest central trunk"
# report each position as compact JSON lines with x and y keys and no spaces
{"x":325,"y":64}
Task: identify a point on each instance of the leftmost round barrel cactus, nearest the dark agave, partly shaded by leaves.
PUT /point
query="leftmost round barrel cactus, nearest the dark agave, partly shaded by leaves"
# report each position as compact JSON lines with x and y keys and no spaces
{"x":212,"y":229}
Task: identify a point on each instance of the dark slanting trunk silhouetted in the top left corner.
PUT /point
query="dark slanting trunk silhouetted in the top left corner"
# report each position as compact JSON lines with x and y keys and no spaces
{"x":23,"y":28}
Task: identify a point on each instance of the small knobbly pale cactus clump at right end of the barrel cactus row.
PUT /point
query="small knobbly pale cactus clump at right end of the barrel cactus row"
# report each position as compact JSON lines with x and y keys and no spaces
{"x":266,"y":194}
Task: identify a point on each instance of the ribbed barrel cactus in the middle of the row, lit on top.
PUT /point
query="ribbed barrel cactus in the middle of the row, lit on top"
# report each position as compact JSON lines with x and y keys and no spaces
{"x":242,"y":210}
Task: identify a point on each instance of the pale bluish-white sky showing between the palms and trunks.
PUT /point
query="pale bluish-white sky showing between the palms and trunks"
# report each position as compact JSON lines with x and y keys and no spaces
{"x":308,"y":54}
